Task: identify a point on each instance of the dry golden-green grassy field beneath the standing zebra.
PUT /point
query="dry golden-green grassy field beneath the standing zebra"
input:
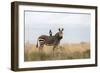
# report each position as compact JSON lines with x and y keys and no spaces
{"x":64,"y":51}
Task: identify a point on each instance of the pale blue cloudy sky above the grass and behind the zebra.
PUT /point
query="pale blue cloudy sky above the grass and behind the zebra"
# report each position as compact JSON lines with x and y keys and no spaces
{"x":76,"y":25}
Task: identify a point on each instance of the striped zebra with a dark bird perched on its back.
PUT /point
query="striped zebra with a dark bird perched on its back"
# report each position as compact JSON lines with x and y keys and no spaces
{"x":51,"y":40}
